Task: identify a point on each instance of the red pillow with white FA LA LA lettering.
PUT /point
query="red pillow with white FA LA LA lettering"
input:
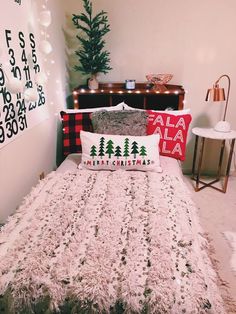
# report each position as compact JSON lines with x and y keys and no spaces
{"x":173,"y":130}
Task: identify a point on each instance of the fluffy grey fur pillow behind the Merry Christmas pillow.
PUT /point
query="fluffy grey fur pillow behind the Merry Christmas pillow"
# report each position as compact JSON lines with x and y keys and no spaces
{"x":125,"y":122}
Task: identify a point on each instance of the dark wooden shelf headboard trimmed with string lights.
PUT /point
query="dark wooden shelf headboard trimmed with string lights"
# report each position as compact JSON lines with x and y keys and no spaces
{"x":143,"y":96}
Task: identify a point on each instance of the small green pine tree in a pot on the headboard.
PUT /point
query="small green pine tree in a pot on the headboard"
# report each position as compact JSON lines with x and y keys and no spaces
{"x":93,"y":58}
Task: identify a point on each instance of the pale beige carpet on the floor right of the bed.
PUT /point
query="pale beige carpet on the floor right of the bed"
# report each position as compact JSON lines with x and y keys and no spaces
{"x":217,"y":212}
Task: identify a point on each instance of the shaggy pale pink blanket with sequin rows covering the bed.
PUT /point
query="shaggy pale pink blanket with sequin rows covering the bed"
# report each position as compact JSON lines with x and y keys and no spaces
{"x":101,"y":241}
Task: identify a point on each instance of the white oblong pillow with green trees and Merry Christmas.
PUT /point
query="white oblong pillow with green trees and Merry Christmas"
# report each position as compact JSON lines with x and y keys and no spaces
{"x":113,"y":152}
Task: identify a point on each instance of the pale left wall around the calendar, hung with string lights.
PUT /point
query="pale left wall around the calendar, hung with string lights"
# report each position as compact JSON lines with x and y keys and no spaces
{"x":23,"y":159}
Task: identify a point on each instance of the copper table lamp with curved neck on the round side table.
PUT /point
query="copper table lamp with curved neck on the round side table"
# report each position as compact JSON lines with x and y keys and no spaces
{"x":218,"y":94}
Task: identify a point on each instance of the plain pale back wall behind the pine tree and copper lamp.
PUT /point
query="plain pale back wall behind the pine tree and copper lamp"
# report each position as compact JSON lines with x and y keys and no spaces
{"x":193,"y":40}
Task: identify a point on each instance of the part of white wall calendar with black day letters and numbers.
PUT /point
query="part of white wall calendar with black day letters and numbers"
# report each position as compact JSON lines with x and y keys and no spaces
{"x":18,"y":112}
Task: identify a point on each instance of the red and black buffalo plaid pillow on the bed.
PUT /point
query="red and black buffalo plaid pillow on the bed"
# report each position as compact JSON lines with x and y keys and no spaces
{"x":72,"y":124}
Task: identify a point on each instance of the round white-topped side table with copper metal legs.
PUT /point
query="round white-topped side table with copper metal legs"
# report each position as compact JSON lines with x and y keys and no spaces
{"x":209,"y":133}
